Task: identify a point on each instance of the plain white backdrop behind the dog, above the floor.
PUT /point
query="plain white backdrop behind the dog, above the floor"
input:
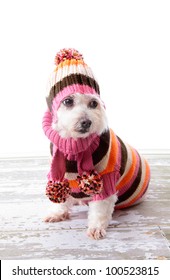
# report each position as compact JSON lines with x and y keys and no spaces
{"x":127,"y":45}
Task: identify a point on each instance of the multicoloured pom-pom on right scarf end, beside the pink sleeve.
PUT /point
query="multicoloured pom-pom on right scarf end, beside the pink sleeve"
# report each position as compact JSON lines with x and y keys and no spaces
{"x":90,"y":183}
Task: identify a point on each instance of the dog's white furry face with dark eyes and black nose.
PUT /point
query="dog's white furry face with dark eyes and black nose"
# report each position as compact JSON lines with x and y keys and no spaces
{"x":80,"y":115}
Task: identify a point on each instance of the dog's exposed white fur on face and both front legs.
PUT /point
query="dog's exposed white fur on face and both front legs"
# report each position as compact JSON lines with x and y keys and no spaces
{"x":68,"y":124}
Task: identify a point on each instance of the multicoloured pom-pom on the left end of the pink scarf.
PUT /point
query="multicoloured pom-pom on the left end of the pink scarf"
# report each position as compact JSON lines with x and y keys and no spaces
{"x":58,"y":192}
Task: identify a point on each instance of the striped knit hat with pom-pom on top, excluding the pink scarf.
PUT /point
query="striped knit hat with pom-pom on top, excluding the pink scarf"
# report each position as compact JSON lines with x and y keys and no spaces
{"x":70,"y":76}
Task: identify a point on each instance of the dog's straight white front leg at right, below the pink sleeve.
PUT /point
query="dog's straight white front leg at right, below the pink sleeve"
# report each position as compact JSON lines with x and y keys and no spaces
{"x":100,"y":214}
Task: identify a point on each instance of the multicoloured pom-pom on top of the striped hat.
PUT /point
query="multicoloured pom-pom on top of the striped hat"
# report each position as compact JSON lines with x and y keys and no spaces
{"x":67,"y":54}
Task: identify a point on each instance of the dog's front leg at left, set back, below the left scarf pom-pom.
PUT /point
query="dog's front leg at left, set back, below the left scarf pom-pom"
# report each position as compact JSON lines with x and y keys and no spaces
{"x":59,"y":212}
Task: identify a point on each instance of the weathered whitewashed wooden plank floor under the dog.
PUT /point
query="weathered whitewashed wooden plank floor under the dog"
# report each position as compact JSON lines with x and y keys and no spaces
{"x":140,"y":232}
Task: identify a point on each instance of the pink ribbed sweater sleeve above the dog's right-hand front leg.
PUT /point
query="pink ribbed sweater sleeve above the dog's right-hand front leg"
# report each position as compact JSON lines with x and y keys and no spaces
{"x":109,"y":183}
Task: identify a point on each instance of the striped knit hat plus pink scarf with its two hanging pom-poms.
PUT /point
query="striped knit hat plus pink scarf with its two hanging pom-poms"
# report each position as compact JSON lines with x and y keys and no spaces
{"x":71,"y":75}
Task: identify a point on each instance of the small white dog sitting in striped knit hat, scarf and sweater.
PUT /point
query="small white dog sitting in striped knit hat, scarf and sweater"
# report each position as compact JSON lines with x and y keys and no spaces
{"x":89,"y":162}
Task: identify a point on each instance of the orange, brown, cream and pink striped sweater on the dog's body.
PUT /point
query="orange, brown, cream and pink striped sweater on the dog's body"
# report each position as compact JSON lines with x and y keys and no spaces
{"x":122,"y":169}
